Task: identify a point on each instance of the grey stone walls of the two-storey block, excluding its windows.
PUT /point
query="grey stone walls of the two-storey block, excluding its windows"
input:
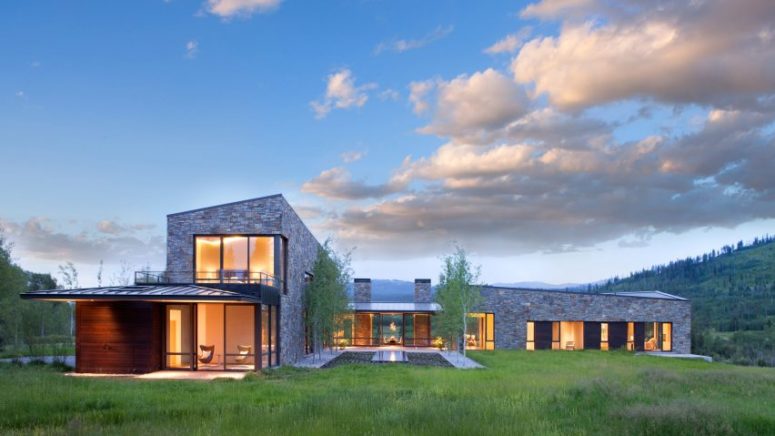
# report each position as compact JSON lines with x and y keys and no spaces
{"x":270,"y":215}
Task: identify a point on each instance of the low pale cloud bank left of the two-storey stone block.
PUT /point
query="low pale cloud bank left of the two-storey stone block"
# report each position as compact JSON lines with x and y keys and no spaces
{"x":39,"y":238}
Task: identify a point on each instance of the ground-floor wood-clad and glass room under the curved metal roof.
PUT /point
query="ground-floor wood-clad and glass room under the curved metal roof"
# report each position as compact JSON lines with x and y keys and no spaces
{"x":145,"y":329}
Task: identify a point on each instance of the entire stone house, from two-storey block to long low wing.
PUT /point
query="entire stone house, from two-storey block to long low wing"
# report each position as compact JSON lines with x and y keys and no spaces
{"x":231,"y":298}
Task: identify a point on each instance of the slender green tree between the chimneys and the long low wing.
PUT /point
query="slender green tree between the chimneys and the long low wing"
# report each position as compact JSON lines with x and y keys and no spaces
{"x":458,"y":293}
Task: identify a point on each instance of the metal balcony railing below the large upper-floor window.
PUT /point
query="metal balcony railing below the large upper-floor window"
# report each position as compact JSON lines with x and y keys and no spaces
{"x":223,"y":276}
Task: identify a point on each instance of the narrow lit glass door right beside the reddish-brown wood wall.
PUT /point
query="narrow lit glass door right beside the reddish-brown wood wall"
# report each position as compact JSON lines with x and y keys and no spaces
{"x":179,"y":336}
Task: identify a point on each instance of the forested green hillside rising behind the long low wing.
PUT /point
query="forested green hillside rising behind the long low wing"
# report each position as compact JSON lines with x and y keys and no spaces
{"x":733,"y":298}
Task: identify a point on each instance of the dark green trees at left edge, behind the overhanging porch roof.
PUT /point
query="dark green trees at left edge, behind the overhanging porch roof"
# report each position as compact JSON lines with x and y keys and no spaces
{"x":27,"y":327}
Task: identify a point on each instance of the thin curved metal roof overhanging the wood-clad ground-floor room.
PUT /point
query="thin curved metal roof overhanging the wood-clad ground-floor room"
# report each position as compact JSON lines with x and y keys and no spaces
{"x":142,"y":293}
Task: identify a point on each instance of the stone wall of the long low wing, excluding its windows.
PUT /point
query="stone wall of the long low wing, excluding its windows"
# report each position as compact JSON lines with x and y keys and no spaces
{"x":513,"y":308}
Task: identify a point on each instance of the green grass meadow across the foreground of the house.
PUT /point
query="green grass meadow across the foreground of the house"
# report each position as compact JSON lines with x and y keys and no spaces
{"x":520,"y":393}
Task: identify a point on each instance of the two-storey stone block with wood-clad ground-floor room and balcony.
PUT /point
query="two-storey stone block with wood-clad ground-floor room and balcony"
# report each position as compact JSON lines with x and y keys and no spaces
{"x":230,"y":298}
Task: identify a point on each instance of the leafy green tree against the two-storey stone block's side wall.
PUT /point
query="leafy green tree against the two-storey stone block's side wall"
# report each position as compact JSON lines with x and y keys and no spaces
{"x":325,"y":298}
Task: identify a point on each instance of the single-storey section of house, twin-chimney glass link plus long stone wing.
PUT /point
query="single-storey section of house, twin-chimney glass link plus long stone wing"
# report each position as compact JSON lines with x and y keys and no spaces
{"x":528,"y":319}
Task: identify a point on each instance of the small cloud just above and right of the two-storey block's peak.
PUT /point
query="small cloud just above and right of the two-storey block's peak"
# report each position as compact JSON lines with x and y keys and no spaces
{"x":338,"y":183}
